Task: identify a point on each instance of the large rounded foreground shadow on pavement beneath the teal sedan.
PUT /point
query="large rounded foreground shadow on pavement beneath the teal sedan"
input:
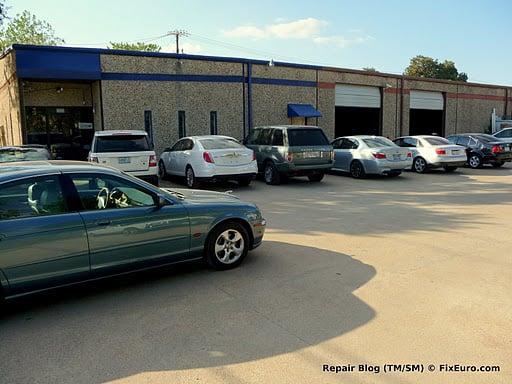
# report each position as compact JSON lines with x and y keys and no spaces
{"x":283,"y":298}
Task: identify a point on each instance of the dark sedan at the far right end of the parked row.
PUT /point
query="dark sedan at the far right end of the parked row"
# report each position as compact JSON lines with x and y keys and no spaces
{"x":483,"y":149}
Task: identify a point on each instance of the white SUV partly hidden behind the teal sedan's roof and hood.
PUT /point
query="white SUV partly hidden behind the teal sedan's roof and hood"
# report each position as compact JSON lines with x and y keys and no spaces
{"x":128,"y":151}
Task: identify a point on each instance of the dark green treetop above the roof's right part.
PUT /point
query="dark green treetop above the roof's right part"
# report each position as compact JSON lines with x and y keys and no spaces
{"x":424,"y":66}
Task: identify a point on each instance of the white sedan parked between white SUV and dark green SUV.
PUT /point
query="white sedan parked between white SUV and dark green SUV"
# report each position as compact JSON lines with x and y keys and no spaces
{"x":209,"y":158}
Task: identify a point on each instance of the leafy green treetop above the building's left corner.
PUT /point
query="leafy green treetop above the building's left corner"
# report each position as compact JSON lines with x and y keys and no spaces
{"x":25,"y":28}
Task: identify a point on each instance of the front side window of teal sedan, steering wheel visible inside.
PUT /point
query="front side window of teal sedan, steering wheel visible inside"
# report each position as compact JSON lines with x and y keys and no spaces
{"x":99,"y":191}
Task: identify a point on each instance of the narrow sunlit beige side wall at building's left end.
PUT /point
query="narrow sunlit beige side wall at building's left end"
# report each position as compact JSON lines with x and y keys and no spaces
{"x":10,"y":112}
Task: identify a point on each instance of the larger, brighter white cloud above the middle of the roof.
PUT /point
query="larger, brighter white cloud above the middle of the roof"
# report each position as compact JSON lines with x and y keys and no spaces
{"x":298,"y":29}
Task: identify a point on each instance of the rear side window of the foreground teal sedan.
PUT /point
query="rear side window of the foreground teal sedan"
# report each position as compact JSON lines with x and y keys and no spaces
{"x":37,"y":196}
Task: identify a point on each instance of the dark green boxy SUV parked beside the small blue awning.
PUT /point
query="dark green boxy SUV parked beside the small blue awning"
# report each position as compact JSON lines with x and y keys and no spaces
{"x":291,"y":150}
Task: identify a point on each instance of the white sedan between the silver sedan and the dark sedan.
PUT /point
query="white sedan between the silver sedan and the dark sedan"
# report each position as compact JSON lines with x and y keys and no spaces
{"x":433,"y":152}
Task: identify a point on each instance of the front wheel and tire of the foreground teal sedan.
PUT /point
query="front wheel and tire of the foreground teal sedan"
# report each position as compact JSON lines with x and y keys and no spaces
{"x":227,"y":246}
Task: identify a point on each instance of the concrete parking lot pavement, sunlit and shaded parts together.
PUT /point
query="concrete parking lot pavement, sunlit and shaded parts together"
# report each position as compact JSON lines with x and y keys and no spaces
{"x":416,"y":269}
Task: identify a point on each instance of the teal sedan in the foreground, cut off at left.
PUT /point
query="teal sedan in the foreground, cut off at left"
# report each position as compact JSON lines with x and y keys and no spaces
{"x":65,"y":222}
